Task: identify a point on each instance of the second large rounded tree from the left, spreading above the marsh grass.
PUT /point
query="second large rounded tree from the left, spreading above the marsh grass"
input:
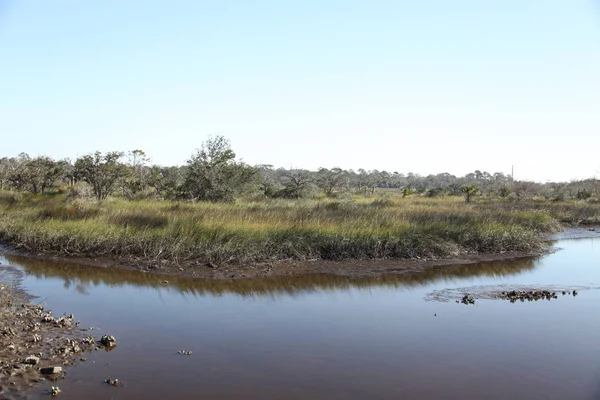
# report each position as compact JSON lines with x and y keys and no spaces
{"x":101,"y":171}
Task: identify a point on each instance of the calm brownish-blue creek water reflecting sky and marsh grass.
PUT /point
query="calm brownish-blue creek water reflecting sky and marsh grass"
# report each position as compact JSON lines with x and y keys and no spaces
{"x":325,"y":337}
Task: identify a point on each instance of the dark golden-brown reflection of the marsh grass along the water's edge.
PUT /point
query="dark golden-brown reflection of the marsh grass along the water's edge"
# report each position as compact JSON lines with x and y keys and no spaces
{"x":81,"y":277}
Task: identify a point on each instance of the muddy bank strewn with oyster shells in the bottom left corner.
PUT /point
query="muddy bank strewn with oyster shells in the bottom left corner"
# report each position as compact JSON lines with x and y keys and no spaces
{"x":36,"y":346}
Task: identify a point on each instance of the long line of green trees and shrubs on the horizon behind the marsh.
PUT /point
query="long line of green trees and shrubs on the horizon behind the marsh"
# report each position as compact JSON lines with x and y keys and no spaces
{"x":213,"y":173}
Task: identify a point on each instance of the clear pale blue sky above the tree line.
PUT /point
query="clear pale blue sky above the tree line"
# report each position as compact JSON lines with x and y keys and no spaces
{"x":425,"y":86}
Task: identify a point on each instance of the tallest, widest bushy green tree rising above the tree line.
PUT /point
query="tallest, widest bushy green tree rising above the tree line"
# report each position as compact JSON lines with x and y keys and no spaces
{"x":213,"y":174}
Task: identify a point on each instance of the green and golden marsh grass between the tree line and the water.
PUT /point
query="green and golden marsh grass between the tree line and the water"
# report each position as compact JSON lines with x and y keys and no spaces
{"x":256,"y":231}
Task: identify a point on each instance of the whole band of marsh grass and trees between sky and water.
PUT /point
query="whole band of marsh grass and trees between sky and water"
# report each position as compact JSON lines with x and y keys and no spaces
{"x":217,"y":209}
